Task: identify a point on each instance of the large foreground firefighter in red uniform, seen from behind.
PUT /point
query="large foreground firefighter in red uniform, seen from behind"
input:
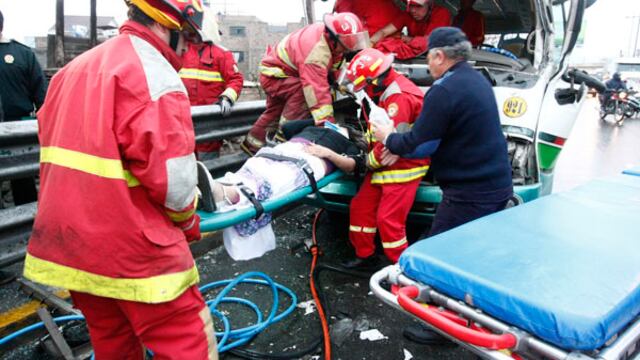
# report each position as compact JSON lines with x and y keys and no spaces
{"x":118,"y":190}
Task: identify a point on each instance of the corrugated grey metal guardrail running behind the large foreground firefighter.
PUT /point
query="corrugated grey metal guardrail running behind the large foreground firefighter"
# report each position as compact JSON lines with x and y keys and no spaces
{"x":19,"y":158}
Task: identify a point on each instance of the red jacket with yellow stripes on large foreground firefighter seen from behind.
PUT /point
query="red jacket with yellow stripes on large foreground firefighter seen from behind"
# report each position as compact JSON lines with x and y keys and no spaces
{"x":117,"y":174}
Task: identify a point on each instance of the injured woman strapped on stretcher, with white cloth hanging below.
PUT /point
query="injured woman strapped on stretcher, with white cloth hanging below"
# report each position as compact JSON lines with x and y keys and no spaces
{"x":309,"y":154}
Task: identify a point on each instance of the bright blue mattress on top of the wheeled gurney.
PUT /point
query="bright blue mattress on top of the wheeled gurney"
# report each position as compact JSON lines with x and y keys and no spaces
{"x":565,"y":268}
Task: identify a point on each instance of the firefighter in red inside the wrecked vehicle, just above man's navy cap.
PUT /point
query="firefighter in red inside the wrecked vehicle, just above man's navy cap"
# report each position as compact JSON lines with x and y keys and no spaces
{"x":422,"y":18}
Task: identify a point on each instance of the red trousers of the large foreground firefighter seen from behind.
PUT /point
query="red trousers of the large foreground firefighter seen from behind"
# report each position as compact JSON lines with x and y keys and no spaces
{"x":178,"y":329}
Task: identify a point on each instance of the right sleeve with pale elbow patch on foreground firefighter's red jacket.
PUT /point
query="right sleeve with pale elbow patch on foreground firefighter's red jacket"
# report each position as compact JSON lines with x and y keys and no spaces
{"x":157,"y":142}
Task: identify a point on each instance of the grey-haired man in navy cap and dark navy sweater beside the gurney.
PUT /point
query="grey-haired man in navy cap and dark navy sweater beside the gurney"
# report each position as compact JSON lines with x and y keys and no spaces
{"x":459,"y":127}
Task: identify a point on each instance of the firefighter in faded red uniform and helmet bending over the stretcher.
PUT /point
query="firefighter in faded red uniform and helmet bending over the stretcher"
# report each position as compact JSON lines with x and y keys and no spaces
{"x":295,"y":74}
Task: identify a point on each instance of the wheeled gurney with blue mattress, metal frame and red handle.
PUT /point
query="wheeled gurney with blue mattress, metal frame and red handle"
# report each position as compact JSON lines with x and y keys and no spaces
{"x":556,"y":278}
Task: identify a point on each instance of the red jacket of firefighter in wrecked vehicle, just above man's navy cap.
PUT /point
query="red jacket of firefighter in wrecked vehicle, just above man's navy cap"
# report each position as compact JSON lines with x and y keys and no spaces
{"x":419,"y":32}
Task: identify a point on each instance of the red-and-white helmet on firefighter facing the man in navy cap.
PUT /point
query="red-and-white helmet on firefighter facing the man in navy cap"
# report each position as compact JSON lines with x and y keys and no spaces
{"x":367,"y":66}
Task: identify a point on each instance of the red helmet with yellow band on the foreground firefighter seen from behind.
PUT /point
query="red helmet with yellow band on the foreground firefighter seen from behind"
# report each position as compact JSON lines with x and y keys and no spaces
{"x":174,"y":14}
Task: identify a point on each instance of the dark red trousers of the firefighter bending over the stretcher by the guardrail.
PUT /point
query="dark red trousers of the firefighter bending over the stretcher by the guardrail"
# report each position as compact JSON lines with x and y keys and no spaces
{"x":285,"y":101}
